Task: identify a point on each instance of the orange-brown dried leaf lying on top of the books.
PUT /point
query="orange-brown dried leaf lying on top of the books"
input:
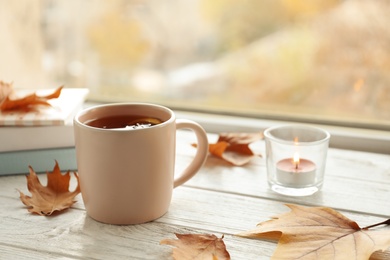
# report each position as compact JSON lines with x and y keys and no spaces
{"x":28,"y":101}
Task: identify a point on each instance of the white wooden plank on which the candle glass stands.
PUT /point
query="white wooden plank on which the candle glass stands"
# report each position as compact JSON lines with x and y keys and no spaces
{"x":355,"y":181}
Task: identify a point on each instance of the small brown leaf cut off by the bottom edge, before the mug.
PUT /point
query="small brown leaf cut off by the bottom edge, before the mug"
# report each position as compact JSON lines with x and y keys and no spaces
{"x":195,"y":246}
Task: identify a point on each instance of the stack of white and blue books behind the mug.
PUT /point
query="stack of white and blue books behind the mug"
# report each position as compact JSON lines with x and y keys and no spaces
{"x":39,"y":138}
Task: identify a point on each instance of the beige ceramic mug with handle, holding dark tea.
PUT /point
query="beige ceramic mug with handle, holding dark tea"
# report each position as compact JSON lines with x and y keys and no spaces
{"x":127,"y":174}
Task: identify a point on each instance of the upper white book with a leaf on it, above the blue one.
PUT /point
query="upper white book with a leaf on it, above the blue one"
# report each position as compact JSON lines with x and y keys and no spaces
{"x":48,"y":127}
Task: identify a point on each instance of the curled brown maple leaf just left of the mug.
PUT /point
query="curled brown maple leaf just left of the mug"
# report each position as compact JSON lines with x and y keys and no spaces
{"x":53,"y":197}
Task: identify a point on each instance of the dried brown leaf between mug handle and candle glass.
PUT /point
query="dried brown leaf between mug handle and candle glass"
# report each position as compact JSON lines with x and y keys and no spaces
{"x":234,"y":147}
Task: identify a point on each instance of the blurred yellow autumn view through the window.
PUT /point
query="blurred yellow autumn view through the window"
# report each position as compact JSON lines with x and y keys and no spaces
{"x":315,"y":61}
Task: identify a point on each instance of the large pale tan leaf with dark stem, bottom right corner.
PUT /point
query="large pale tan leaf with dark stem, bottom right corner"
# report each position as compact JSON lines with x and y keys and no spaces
{"x":319,"y":233}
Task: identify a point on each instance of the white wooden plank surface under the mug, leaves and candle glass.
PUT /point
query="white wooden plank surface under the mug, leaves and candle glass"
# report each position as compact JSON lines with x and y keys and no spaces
{"x":221,"y":199}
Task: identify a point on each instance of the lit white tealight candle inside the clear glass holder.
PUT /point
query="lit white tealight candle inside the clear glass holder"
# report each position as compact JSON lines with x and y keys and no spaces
{"x":295,"y":171}
